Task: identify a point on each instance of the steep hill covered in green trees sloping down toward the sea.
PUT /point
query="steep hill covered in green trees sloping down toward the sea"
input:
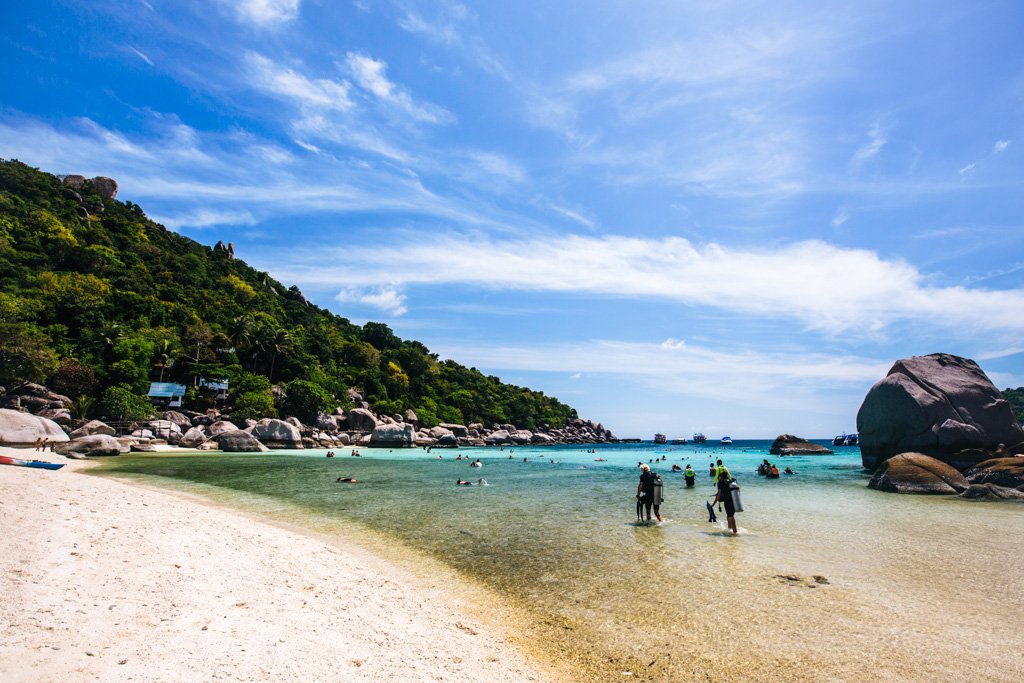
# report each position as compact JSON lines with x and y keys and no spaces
{"x":97,"y":301}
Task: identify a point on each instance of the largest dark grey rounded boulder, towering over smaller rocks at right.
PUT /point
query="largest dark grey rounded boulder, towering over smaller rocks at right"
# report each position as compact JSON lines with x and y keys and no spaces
{"x":940,"y":405}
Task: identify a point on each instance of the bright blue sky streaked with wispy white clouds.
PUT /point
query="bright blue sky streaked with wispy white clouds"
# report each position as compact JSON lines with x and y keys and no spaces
{"x":715,"y":217}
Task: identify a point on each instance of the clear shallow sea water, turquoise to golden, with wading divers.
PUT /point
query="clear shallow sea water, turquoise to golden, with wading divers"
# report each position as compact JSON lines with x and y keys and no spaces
{"x":828,"y":580}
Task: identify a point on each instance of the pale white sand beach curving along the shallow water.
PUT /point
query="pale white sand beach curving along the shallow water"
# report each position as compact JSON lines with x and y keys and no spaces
{"x":106,"y":581}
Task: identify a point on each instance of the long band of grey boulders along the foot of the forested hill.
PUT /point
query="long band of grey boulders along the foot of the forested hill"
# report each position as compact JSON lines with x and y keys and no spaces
{"x":34,"y":412}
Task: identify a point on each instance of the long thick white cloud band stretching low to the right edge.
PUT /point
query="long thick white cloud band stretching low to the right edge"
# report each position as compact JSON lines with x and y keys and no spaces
{"x":826,"y":288}
